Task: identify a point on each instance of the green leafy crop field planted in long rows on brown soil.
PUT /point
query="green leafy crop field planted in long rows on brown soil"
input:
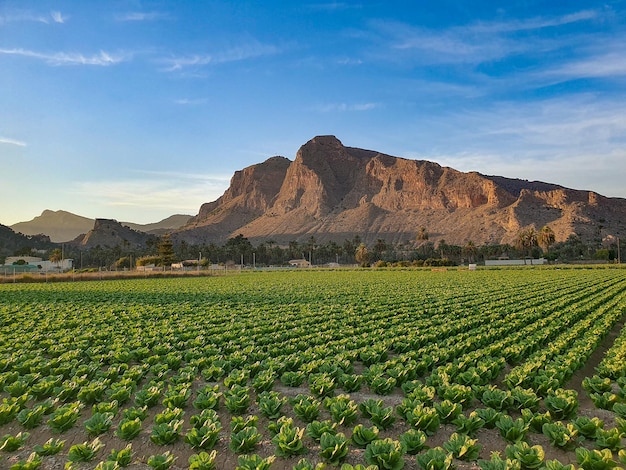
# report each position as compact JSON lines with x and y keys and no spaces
{"x":493,"y":369}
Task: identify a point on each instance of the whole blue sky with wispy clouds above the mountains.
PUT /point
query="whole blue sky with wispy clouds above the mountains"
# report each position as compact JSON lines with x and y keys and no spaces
{"x":136,"y":110}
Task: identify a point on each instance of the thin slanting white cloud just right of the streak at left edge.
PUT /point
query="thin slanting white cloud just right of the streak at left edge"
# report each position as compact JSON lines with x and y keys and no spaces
{"x":249,"y":50}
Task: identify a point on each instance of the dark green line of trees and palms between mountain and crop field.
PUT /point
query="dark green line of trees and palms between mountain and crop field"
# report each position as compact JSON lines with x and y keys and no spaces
{"x":238,"y":250}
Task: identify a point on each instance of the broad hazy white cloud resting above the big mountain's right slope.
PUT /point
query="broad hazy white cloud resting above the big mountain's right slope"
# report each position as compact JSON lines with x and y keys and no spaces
{"x":576,"y":141}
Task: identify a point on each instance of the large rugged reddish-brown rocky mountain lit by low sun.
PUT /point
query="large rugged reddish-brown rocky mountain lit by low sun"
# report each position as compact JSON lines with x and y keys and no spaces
{"x":333,"y":192}
